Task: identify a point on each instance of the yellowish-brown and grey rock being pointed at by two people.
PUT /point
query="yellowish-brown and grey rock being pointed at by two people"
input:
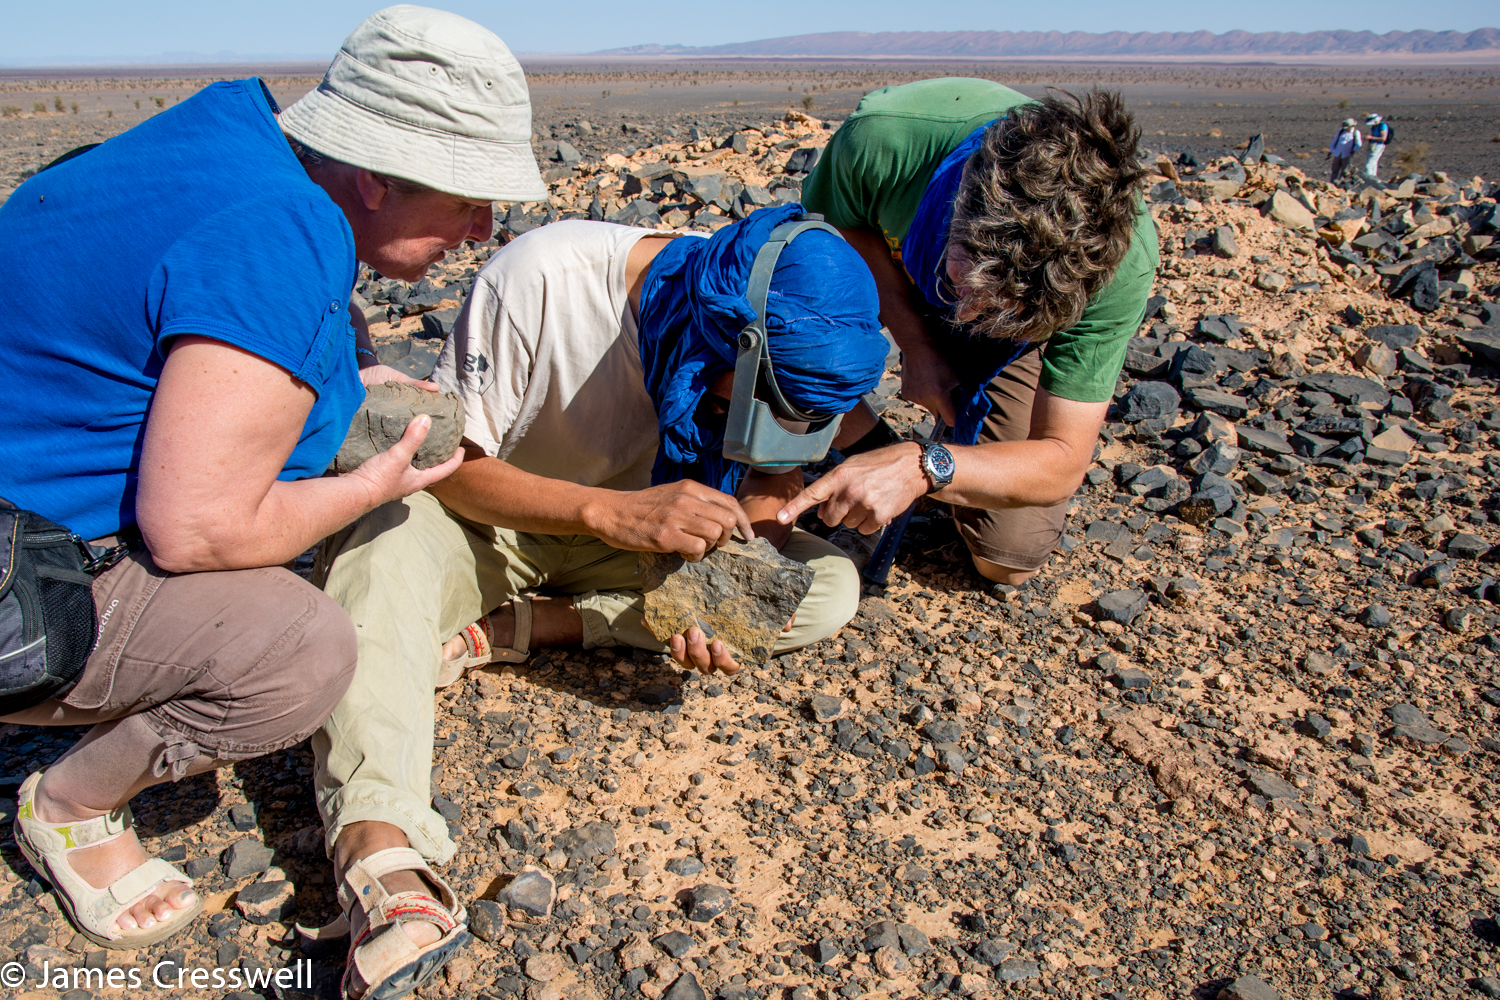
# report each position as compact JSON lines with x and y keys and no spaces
{"x":742,"y":594}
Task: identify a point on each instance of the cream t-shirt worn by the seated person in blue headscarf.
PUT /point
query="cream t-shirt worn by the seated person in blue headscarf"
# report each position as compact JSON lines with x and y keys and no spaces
{"x":547,"y":359}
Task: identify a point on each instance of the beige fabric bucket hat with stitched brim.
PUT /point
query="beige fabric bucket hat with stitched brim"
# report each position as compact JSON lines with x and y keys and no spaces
{"x":427,"y":97}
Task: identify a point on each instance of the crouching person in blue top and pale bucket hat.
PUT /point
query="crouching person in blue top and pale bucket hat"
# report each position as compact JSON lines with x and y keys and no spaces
{"x":182,"y":394}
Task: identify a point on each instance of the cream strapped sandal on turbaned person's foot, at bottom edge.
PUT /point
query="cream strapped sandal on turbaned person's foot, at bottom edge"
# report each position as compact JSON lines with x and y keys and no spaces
{"x":391,"y":963}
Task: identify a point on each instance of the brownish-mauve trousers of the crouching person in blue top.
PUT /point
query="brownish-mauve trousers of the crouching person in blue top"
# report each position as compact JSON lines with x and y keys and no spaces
{"x":226,"y":665}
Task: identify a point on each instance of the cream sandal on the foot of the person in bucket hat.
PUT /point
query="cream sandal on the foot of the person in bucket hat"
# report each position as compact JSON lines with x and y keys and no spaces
{"x":92,"y":911}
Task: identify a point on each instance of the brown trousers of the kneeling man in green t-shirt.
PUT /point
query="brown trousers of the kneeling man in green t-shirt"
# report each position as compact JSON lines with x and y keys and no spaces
{"x":1016,"y":537}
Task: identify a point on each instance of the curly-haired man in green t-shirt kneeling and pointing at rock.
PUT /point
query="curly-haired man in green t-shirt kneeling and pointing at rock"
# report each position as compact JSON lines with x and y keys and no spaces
{"x":1013,"y":257}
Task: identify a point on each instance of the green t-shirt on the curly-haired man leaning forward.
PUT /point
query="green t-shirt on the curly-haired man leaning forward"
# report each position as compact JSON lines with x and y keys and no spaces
{"x":874,"y":175}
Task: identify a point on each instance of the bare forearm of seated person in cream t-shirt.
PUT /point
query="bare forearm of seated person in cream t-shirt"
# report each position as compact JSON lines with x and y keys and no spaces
{"x":491,"y":493}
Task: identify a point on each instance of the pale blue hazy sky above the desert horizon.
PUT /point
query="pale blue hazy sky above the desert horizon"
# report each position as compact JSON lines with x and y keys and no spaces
{"x":37,"y":32}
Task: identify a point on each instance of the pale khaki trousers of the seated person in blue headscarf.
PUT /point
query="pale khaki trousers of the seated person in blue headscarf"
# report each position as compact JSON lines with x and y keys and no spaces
{"x":412,"y":575}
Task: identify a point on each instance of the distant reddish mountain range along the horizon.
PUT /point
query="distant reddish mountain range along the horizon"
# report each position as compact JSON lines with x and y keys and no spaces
{"x":1087,"y":44}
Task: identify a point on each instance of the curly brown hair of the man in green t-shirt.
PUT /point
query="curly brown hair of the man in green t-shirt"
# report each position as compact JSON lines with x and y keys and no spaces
{"x":1046,"y":211}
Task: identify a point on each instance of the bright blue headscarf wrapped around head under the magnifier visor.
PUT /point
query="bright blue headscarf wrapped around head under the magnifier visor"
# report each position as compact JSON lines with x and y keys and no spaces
{"x":823,"y":332}
